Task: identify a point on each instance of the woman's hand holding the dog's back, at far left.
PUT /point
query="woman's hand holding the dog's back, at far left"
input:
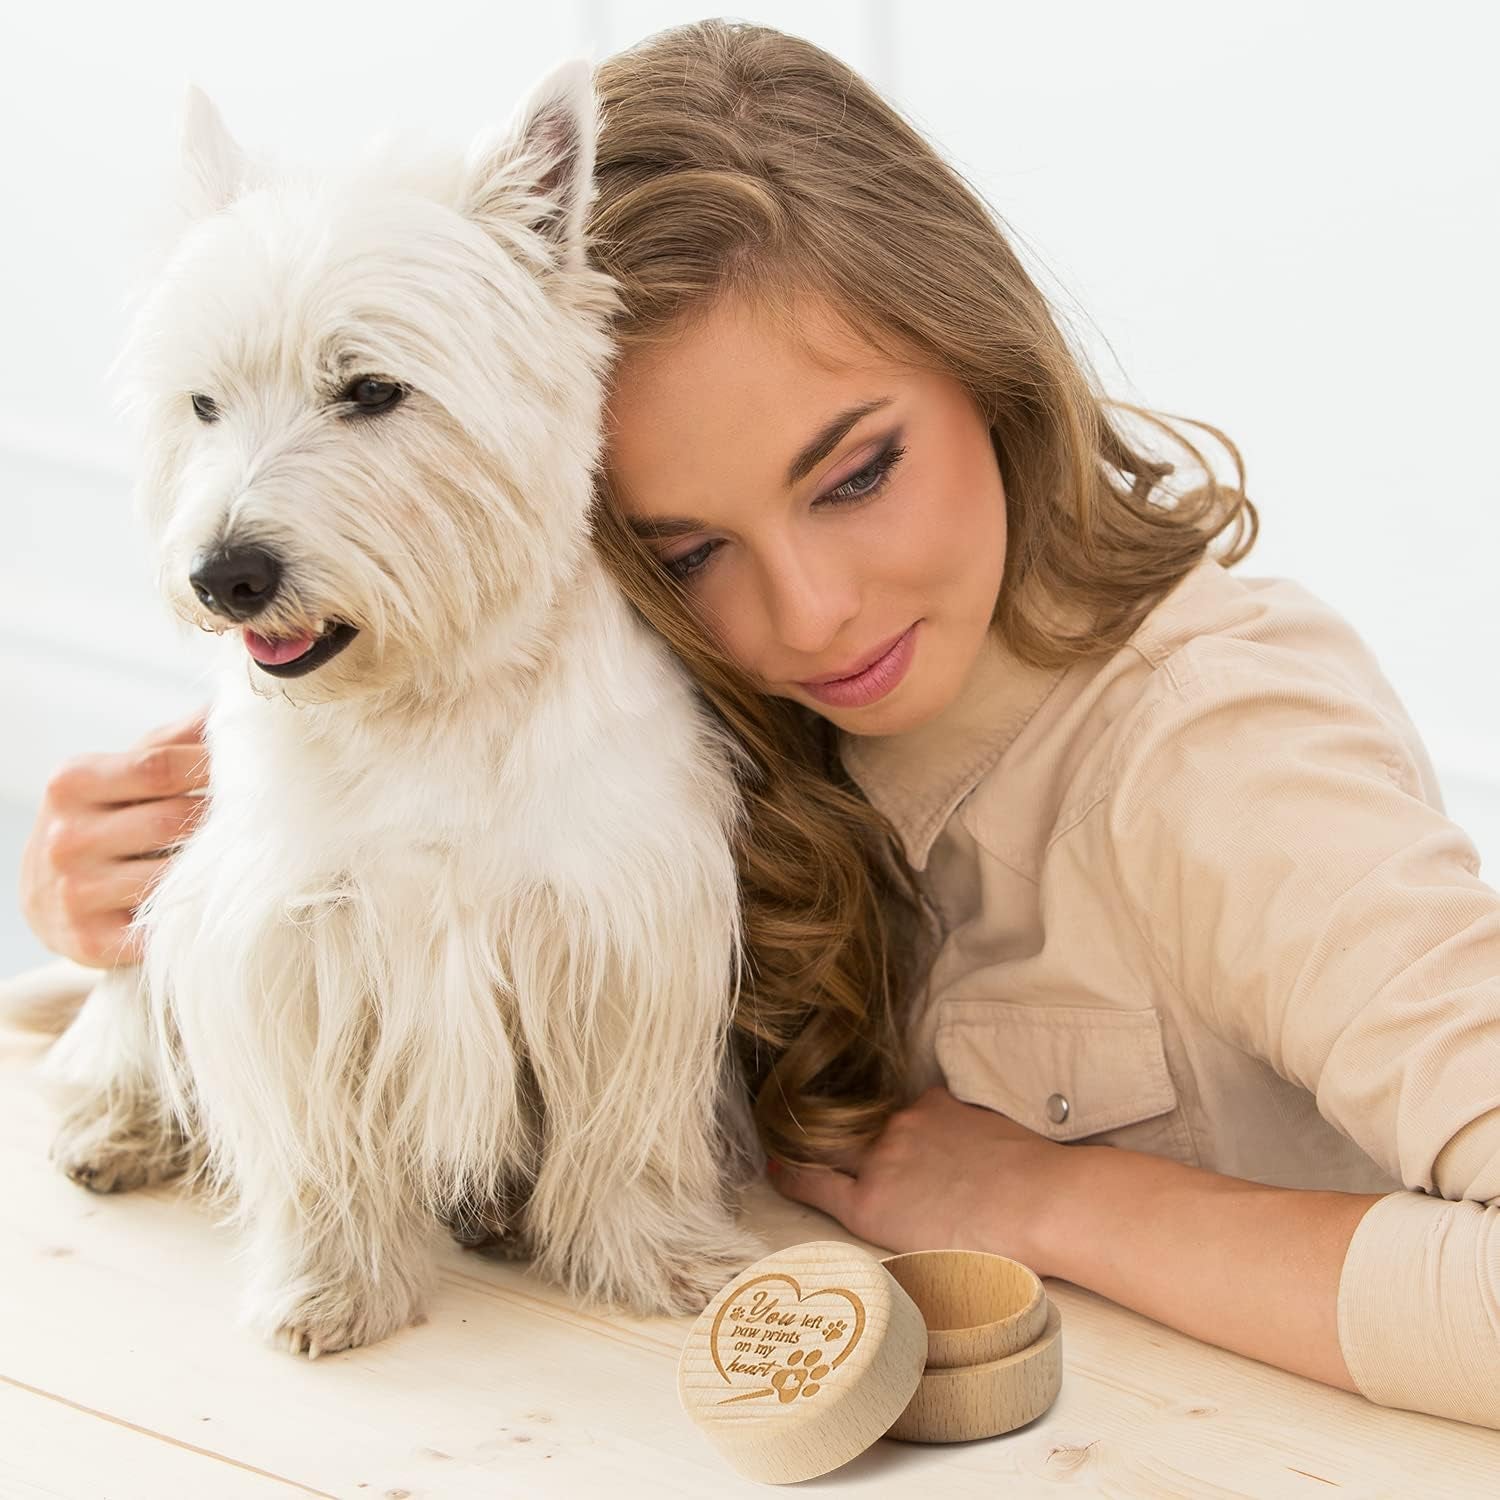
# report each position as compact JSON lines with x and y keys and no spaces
{"x":104,"y":835}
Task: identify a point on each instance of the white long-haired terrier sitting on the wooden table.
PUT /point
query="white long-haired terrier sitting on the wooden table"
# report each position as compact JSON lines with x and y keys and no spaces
{"x":458,"y":937}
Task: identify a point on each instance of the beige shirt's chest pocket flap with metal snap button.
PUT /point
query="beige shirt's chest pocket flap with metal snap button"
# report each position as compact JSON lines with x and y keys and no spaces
{"x":1072,"y":1073}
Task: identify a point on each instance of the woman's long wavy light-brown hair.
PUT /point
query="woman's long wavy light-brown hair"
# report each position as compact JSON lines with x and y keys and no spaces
{"x":739,"y":161}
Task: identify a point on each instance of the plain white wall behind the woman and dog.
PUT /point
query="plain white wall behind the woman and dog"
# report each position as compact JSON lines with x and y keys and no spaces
{"x":1274,"y":217}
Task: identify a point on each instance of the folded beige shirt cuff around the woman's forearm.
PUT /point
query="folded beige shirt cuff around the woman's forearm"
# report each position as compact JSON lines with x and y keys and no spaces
{"x":1420,"y":1307}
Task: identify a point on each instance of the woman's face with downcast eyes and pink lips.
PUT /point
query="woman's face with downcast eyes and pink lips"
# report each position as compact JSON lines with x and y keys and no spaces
{"x":815,"y":514}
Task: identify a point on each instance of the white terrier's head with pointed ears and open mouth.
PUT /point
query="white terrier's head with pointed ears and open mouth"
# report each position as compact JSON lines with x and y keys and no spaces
{"x":371,"y":397}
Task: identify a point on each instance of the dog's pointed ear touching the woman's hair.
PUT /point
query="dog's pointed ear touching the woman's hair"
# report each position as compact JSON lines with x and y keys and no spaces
{"x":542,"y":167}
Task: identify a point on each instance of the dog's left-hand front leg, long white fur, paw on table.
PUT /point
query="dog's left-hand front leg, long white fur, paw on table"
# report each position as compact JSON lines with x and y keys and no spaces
{"x":277,"y":1024}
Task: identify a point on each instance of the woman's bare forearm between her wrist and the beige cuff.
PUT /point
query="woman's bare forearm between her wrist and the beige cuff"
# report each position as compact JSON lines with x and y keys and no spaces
{"x":1235,"y":1264}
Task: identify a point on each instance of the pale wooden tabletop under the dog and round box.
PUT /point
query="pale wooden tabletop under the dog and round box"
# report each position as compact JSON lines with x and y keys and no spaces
{"x":124,"y":1375}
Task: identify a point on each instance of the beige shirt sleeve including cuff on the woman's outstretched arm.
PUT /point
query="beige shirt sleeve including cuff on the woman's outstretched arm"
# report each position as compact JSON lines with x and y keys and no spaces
{"x":1267,"y":830}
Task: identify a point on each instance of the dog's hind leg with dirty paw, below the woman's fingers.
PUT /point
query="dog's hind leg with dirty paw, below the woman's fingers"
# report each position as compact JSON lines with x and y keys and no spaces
{"x":116,"y":1132}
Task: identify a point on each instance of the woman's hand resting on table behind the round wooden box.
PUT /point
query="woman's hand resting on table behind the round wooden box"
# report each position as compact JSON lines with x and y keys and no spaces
{"x":944,"y":1175}
